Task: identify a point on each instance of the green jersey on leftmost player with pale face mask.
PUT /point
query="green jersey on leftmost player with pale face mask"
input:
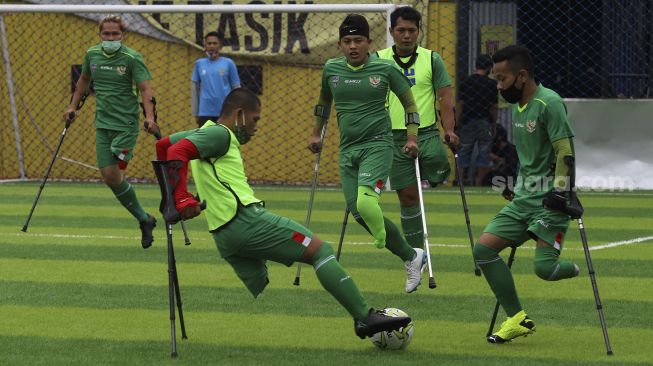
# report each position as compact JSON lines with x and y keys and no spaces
{"x":115,"y":78}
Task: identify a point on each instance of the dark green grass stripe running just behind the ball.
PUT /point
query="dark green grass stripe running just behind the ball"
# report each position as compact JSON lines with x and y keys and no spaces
{"x":292,"y":301}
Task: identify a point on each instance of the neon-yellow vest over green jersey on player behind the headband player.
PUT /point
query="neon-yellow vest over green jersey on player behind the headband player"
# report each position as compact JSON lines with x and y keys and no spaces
{"x":426,"y":71}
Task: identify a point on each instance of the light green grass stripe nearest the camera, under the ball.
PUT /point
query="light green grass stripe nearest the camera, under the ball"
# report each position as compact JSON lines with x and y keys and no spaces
{"x":324,"y":333}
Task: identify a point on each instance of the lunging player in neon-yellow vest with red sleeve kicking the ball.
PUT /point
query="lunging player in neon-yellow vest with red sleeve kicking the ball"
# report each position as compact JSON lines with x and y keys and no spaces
{"x":246,"y":234}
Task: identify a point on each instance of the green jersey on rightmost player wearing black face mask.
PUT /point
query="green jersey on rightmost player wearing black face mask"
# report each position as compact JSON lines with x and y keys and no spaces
{"x":535,"y":126}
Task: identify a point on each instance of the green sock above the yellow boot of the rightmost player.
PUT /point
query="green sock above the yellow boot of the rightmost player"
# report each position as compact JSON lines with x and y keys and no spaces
{"x":498,"y":276}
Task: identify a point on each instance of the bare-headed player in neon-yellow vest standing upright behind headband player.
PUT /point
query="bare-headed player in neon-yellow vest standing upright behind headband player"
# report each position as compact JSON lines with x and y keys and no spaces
{"x":426,"y":70}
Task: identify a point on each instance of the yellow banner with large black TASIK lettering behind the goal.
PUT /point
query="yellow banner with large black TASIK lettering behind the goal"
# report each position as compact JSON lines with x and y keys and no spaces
{"x":300,"y":38}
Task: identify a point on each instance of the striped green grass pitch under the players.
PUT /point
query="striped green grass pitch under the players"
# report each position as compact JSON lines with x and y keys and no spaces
{"x":78,"y":289}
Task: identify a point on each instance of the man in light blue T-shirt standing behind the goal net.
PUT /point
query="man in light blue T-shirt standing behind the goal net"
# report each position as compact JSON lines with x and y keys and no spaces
{"x":214,"y":76}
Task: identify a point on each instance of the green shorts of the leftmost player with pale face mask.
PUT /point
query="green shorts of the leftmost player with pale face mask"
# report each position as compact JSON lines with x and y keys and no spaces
{"x":114,"y":147}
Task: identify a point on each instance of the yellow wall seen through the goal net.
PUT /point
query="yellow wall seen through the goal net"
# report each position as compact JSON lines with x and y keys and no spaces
{"x":43,"y":48}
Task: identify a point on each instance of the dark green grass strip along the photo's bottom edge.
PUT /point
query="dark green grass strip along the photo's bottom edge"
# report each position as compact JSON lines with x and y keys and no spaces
{"x":80,"y":351}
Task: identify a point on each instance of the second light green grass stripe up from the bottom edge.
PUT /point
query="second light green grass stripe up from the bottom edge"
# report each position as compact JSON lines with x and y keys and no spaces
{"x":221,"y":274}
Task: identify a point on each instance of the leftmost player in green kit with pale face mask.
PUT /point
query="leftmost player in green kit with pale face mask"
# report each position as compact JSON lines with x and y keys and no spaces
{"x":118,"y":74}
